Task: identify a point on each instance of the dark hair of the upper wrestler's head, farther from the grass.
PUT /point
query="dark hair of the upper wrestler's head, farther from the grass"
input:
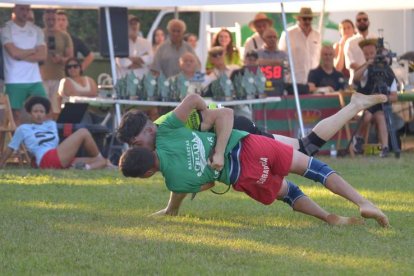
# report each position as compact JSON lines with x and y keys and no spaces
{"x":132,"y":123}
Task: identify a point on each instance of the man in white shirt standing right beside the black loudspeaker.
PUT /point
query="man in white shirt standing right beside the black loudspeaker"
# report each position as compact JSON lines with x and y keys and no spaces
{"x":140,"y":52}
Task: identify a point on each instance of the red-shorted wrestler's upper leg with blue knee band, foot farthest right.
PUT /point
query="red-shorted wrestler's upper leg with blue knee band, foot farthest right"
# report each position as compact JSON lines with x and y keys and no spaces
{"x":318,"y":171}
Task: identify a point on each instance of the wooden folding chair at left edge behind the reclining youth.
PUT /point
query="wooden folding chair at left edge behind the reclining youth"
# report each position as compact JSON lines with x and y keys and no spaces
{"x":7,"y":128}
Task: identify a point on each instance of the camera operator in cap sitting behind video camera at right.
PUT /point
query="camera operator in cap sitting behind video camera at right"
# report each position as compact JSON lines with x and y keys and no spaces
{"x":367,"y":86}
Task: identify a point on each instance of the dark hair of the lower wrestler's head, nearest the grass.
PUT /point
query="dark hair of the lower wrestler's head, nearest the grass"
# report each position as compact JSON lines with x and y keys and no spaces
{"x":135,"y":162}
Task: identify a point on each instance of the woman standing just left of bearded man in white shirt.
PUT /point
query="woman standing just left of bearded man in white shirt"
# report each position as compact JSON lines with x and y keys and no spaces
{"x":346,"y":30}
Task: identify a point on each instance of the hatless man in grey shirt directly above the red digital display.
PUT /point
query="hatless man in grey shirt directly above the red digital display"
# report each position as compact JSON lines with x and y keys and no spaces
{"x":269,"y":54}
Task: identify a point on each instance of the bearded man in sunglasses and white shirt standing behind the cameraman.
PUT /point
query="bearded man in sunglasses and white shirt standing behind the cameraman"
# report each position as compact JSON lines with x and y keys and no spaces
{"x":354,"y":57}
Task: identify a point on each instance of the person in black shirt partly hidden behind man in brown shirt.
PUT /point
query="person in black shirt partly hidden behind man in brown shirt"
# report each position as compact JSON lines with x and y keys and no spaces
{"x":78,"y":45}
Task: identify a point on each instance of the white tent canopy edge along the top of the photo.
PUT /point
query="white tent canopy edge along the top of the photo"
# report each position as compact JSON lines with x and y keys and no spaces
{"x":228,"y":5}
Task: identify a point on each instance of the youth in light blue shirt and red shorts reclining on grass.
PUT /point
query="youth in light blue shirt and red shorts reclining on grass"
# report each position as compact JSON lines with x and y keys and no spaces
{"x":42,"y":140}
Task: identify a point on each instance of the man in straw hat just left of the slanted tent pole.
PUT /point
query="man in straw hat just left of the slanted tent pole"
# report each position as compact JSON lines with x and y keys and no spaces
{"x":259,"y":24}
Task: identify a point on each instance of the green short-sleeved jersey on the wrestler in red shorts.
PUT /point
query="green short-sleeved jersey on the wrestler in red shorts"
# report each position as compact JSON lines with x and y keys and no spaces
{"x":183,"y":154}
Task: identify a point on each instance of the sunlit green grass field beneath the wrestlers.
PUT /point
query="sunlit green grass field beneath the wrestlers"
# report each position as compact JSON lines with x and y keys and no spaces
{"x":78,"y":222}
